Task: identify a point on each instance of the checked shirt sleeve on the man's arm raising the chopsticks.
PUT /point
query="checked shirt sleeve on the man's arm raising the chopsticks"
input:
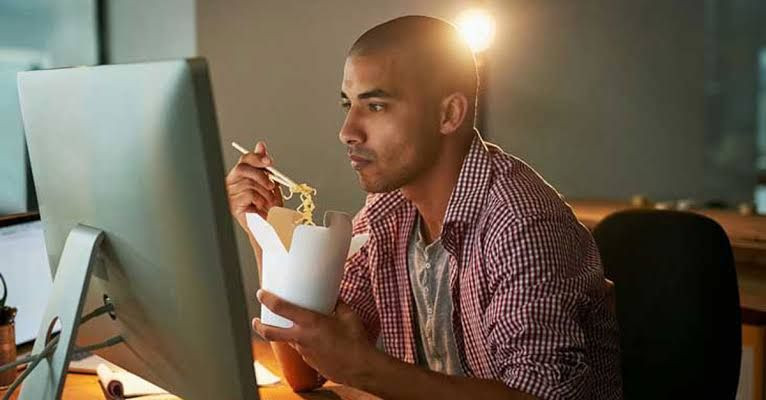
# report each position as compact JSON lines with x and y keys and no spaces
{"x":355,"y":288}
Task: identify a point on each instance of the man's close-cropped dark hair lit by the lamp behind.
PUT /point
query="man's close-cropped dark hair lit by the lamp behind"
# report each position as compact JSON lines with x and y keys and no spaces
{"x":435,"y":45}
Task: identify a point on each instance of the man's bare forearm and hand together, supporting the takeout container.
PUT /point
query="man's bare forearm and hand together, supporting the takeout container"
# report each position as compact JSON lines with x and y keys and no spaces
{"x":318,"y":339}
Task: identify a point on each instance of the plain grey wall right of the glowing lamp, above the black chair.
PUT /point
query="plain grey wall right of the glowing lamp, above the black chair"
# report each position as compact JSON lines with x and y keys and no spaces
{"x":607,"y":99}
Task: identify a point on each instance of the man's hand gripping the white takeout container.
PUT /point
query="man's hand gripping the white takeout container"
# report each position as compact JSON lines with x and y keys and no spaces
{"x":337,"y":346}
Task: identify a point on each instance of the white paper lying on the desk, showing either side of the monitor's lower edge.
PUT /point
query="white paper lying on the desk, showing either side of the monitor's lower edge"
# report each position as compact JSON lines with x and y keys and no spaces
{"x":121,"y":384}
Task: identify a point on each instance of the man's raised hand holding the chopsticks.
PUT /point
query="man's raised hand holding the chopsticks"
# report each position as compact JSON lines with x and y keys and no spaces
{"x":249,"y":188}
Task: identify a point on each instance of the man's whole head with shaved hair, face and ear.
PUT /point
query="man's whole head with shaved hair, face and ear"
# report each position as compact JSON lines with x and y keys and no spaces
{"x":409,"y":93}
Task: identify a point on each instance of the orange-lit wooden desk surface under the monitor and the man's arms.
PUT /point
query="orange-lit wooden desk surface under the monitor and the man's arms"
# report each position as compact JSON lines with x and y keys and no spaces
{"x":86,"y":387}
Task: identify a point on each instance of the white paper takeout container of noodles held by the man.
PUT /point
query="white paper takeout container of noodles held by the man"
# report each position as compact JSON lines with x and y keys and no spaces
{"x":303,"y":264}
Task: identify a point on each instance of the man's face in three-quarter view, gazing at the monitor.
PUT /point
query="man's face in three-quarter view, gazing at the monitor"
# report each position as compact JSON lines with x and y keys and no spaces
{"x":392,"y":124}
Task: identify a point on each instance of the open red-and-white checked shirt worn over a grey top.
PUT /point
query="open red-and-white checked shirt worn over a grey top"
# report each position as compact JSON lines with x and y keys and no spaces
{"x":526,"y":282}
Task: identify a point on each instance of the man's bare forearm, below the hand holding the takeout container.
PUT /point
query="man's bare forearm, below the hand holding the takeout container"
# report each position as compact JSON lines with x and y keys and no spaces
{"x":390,"y":378}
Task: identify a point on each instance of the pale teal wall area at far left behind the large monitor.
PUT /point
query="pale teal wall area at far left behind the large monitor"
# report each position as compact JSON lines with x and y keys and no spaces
{"x":35,"y":34}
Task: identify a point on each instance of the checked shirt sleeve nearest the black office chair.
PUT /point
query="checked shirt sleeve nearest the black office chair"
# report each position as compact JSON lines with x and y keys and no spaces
{"x":543,"y":270}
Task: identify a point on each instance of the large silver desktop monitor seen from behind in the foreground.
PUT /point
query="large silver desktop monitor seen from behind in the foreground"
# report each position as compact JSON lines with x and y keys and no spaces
{"x":133,"y":151}
